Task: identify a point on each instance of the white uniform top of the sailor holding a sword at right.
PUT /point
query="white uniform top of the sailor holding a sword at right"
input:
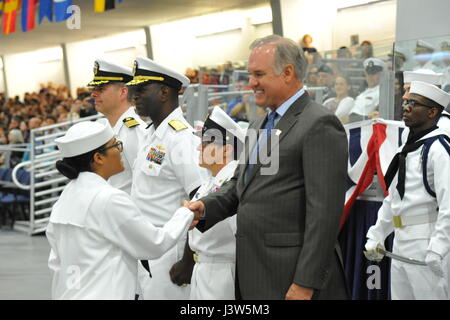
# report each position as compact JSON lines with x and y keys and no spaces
{"x":418,"y":201}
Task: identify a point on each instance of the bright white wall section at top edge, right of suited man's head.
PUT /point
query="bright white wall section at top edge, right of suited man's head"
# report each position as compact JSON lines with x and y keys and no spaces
{"x":332,"y":28}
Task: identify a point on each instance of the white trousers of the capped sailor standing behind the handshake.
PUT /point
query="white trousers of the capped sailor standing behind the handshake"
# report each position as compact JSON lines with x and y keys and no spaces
{"x":213,"y":279}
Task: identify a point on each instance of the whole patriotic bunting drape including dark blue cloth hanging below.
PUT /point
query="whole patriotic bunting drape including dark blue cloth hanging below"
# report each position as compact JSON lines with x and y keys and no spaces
{"x":372,"y":145}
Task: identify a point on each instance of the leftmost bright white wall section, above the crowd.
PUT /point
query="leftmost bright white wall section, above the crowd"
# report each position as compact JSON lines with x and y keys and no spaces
{"x":25,"y":71}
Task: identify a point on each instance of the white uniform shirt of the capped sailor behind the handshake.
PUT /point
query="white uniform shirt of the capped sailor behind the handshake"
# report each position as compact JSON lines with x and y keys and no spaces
{"x":219,"y":241}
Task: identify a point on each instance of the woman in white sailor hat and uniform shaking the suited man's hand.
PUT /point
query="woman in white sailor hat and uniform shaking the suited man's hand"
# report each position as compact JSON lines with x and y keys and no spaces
{"x":96,"y":232}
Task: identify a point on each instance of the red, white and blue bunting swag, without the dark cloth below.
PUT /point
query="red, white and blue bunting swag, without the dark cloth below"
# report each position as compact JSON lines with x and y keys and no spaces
{"x":372,"y":145}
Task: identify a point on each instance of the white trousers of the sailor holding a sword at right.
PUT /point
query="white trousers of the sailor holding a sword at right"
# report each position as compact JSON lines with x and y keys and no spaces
{"x":415,"y":282}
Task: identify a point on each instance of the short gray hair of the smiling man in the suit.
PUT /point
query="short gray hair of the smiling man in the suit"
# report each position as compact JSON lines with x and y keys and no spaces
{"x":287,"y":52}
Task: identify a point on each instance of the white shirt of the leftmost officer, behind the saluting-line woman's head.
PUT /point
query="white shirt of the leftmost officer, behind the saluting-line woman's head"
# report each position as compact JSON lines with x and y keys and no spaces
{"x":130,"y":138}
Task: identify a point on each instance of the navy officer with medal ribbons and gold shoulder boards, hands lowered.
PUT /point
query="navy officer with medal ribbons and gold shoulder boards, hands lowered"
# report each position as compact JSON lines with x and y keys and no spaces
{"x":166,"y":170}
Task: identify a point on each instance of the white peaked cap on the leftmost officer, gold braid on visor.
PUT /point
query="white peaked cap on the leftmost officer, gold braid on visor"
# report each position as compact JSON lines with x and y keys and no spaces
{"x":106,"y":72}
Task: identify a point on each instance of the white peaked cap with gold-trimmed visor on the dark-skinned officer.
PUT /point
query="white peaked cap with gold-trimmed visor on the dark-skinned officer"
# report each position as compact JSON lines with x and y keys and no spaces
{"x":146,"y":70}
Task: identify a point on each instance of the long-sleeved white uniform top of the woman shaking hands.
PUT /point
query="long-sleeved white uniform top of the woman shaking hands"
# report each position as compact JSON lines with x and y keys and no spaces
{"x":96,"y":234}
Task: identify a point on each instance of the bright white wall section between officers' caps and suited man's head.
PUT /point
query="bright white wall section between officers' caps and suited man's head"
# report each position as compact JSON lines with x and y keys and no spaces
{"x":210,"y":39}
